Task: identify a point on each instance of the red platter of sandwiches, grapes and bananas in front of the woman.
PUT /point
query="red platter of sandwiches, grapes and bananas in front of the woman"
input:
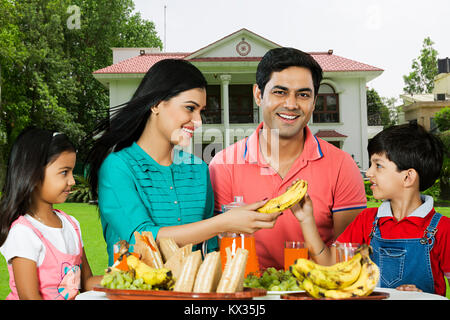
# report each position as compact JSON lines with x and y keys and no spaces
{"x":166,"y":271}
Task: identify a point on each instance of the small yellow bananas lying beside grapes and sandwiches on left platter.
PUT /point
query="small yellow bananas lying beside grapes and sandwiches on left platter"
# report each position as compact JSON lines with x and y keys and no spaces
{"x":150,"y":275}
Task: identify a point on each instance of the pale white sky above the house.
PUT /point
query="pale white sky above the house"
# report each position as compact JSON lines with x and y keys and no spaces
{"x":383,"y":33}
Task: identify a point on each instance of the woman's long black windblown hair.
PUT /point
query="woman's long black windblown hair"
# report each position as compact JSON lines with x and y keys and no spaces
{"x":163,"y":81}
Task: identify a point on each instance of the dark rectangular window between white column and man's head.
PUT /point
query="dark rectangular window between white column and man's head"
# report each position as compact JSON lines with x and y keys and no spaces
{"x":241,"y":103}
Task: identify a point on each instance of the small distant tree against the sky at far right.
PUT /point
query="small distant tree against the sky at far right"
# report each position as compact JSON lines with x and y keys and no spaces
{"x":424,"y":69}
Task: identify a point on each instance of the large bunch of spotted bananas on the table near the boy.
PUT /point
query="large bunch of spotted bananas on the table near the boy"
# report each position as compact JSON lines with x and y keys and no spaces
{"x":355,"y":277}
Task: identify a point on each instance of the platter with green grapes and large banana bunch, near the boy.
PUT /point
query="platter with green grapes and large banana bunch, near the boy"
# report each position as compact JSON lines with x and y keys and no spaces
{"x":354,"y":279}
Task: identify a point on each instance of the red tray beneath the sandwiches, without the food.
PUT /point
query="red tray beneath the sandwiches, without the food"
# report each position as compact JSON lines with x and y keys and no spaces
{"x":119,"y":294}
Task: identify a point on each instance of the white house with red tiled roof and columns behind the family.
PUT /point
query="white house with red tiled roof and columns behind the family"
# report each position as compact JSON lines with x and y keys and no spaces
{"x":229,"y":66}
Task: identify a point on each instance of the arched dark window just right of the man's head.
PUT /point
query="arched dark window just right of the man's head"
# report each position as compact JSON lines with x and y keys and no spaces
{"x":327,"y":105}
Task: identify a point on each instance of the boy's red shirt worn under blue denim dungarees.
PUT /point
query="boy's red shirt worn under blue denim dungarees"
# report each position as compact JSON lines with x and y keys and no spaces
{"x":410,"y":227}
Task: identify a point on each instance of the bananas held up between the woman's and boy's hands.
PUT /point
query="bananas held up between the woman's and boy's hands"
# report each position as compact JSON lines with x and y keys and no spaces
{"x":291,"y":197}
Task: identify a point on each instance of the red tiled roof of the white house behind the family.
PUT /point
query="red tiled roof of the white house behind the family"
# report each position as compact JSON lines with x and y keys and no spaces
{"x":141,"y":63}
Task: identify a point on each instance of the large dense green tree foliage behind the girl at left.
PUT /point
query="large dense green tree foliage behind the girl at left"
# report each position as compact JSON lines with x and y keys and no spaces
{"x":48,"y":51}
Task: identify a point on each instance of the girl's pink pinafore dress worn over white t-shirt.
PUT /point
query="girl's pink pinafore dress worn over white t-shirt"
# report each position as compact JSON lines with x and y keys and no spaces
{"x":59,"y":274}
